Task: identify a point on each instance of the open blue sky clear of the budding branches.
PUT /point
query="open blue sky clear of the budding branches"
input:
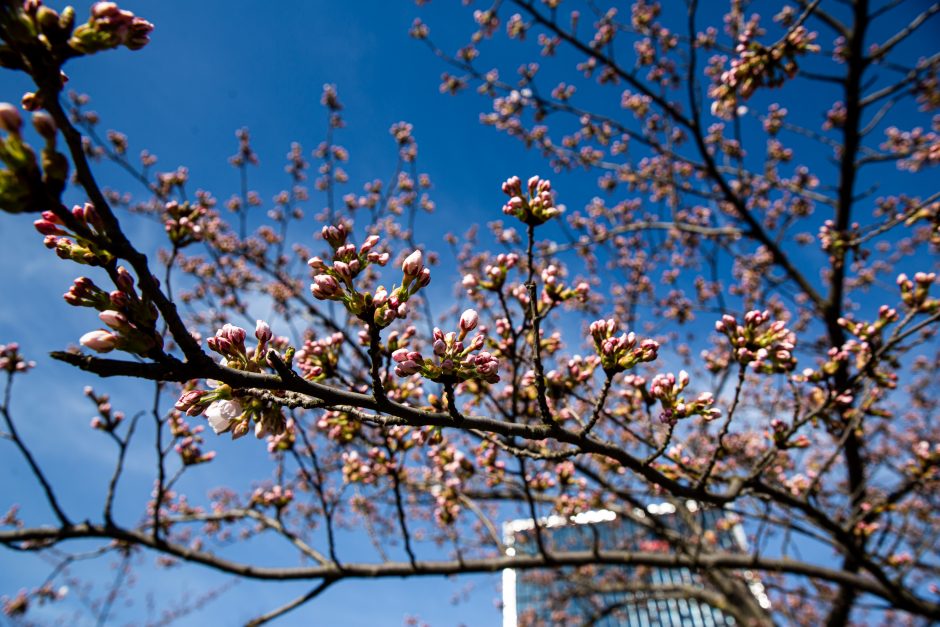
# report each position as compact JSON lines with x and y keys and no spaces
{"x":213,"y":67}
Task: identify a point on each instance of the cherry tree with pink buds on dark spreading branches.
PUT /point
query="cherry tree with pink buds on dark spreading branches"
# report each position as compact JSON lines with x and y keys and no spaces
{"x":740,"y":324}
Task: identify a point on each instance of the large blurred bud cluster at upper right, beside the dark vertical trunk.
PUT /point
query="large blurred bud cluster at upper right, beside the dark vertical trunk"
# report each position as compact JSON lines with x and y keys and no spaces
{"x":758,"y":65}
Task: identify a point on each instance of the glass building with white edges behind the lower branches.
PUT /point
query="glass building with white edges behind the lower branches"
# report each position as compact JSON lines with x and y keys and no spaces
{"x":608,"y":596}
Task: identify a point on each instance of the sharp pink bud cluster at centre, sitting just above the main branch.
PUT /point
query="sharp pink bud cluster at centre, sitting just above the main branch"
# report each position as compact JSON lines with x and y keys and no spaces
{"x":453,"y":359}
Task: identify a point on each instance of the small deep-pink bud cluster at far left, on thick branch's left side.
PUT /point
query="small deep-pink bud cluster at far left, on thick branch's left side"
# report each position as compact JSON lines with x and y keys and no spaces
{"x":83,"y":247}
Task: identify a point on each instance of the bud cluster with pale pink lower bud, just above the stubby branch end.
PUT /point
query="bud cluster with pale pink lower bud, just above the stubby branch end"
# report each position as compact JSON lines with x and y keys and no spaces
{"x":131,"y":321}
